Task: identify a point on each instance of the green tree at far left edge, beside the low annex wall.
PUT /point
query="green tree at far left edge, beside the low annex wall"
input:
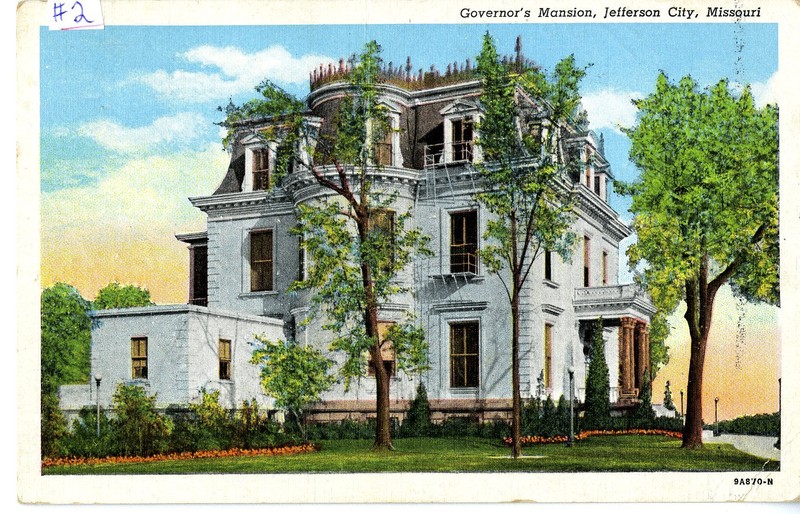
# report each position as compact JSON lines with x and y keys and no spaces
{"x":65,"y":337}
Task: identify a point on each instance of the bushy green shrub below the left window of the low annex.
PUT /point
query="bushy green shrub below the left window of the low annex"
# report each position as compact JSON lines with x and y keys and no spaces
{"x":139,"y":428}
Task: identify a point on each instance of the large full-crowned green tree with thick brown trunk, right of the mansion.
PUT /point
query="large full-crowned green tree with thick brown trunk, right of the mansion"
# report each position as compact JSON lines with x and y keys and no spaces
{"x":705,"y":207}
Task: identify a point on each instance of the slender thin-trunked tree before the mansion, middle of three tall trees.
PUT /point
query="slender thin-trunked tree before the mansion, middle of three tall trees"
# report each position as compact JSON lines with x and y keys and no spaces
{"x":522,"y":178}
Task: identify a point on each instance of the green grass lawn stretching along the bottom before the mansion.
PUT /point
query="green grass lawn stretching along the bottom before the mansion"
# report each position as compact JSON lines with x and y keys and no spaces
{"x":600,"y":453}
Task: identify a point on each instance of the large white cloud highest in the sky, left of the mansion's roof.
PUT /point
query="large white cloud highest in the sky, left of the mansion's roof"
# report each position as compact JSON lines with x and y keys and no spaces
{"x":231,"y":72}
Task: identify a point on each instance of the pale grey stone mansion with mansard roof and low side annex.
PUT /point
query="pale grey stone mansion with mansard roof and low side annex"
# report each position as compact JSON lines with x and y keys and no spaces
{"x":243,"y":264}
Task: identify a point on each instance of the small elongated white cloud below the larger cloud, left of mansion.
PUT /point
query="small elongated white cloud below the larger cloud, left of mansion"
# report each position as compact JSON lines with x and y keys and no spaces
{"x":181,"y":128}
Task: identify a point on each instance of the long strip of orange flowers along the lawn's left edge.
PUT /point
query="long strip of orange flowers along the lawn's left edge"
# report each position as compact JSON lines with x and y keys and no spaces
{"x":233,"y":452}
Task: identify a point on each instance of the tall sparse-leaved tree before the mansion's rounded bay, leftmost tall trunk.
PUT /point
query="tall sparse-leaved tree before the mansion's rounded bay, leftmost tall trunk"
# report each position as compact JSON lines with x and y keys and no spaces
{"x":355,"y":242}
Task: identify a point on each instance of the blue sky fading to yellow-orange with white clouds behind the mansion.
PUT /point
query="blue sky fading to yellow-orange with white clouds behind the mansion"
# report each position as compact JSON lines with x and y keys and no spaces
{"x":128,"y":133}
